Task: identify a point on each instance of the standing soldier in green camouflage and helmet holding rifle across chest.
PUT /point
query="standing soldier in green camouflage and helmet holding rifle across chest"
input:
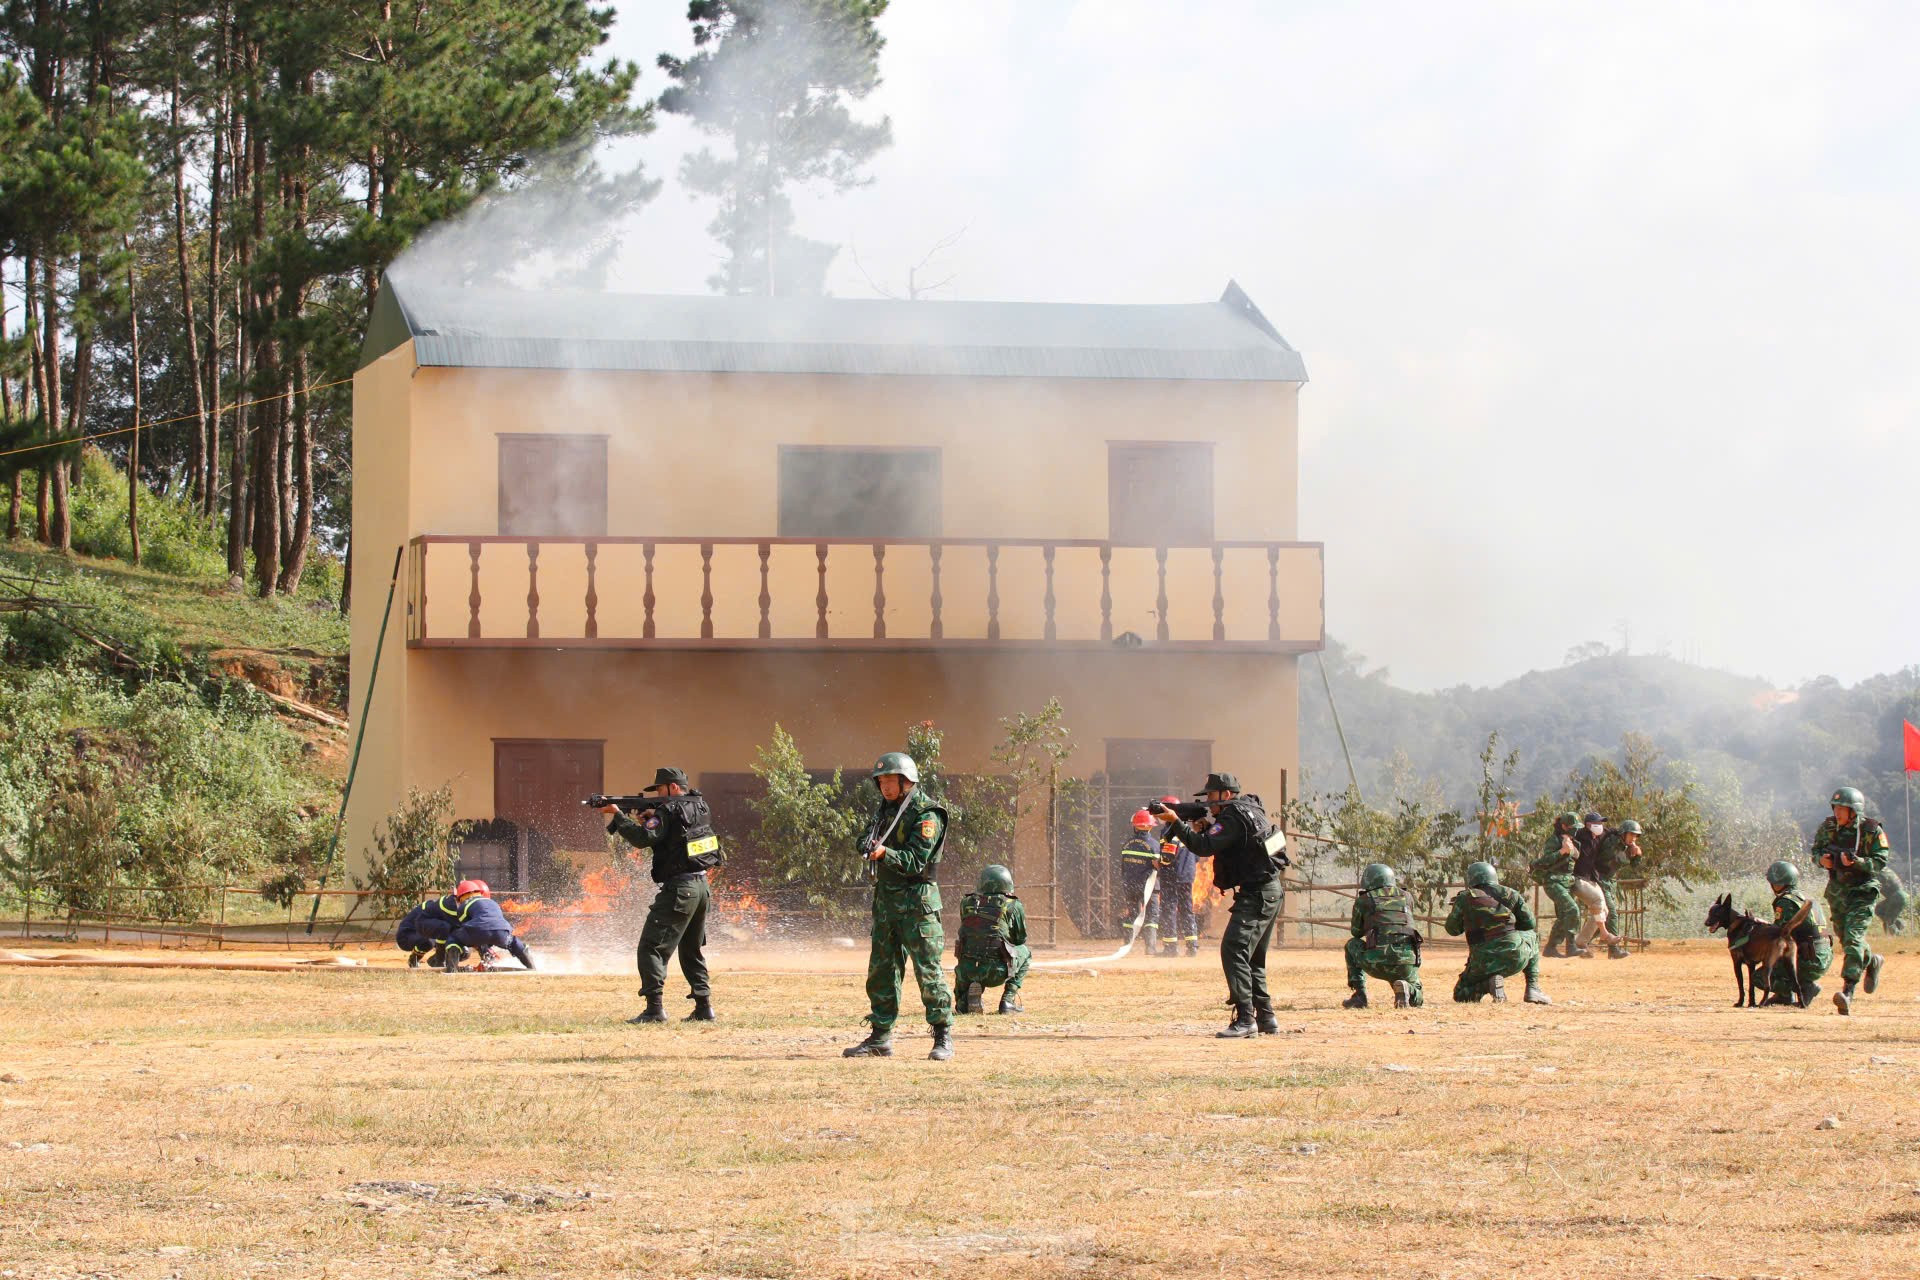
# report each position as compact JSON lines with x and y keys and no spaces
{"x":903,"y":845}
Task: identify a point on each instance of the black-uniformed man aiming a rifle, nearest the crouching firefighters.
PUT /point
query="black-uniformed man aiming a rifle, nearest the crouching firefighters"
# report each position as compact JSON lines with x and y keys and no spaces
{"x":681,"y":832}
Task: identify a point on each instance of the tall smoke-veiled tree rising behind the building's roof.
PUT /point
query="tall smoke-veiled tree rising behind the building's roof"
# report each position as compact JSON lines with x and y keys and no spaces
{"x":777,"y":80}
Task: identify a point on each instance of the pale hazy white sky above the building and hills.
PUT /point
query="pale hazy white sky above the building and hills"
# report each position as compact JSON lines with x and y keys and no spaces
{"x":1612,"y":312}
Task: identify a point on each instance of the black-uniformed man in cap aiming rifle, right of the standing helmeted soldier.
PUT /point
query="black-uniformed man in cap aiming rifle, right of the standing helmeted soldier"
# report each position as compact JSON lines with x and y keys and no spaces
{"x":1249,"y":853}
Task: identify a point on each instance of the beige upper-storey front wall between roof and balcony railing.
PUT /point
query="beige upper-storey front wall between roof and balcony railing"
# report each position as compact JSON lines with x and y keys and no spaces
{"x":1022,"y":458}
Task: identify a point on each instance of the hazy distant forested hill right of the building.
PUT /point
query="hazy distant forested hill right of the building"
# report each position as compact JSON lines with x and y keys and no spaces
{"x":1748,"y":744}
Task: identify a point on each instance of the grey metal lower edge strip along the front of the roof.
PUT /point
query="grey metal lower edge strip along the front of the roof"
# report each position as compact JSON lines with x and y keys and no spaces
{"x":857,"y":360}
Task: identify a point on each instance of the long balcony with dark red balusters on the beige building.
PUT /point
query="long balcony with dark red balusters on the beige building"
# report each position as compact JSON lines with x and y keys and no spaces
{"x":517,"y":592}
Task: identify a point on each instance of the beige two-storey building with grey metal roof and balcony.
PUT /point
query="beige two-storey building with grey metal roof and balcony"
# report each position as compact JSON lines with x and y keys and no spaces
{"x":642,"y":531}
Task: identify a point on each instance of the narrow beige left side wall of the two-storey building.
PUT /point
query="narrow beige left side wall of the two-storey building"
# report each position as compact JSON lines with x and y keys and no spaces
{"x":381,"y":525}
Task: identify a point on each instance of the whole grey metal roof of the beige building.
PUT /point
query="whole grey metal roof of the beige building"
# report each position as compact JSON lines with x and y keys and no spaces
{"x":558,"y":329}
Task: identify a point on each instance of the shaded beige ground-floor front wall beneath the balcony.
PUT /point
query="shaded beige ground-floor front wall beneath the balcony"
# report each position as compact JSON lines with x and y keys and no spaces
{"x":711,"y":711}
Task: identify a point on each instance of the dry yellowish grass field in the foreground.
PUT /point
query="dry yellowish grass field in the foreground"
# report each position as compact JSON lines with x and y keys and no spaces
{"x":408,"y":1126}
